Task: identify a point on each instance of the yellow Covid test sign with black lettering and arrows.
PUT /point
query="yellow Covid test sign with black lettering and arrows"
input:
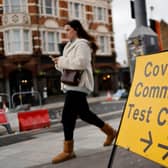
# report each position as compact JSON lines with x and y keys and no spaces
{"x":144,"y":126}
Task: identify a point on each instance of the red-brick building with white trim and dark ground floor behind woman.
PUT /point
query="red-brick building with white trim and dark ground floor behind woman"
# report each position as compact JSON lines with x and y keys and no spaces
{"x":30,"y":31}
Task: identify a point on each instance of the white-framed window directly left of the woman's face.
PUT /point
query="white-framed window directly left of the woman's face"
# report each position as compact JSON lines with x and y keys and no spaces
{"x":50,"y":42}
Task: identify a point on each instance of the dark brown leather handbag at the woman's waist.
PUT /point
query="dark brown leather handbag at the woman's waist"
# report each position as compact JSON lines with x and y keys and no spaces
{"x":71,"y":77}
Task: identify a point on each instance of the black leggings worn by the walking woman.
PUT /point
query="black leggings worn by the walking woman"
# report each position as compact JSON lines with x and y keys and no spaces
{"x":76,"y":105}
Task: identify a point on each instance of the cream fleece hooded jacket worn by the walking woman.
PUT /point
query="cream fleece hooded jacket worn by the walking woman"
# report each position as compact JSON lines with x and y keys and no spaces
{"x":77,"y":55}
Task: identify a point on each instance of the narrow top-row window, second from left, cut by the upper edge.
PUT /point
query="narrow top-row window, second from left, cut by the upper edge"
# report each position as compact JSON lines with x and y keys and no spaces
{"x":49,"y":7}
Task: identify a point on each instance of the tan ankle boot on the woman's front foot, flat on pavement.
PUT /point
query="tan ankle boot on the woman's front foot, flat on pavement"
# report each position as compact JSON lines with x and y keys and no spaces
{"x":66,"y":154}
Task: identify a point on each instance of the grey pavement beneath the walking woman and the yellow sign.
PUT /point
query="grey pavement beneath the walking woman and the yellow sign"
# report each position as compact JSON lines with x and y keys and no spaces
{"x":35,"y":149}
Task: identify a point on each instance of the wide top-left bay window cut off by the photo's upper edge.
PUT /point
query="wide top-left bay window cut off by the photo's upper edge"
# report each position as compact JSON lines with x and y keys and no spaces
{"x":15,"y":6}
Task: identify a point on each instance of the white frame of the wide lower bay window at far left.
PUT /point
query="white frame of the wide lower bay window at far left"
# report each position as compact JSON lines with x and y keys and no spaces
{"x":11,"y":50}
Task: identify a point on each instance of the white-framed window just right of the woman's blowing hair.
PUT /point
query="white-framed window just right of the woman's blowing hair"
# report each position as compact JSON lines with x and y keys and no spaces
{"x":104,"y":45}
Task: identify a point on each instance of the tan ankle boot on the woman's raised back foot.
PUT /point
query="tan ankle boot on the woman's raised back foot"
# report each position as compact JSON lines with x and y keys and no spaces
{"x":110,"y":132}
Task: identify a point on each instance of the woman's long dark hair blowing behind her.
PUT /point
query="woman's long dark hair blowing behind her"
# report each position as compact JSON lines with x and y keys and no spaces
{"x":81,"y":32}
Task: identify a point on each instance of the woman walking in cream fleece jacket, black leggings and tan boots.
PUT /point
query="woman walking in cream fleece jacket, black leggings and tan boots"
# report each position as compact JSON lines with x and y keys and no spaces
{"x":78,"y":55}
